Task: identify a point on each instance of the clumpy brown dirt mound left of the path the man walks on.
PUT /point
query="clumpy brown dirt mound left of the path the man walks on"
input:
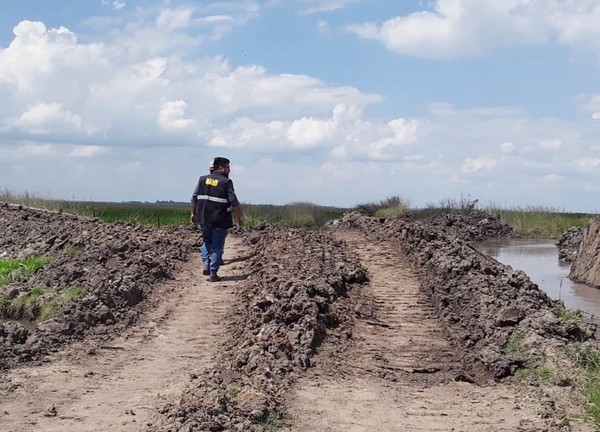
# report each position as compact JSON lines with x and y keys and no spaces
{"x":116,"y":264}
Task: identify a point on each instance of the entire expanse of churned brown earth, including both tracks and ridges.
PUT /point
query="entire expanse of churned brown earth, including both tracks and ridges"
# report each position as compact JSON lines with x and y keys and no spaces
{"x":368,"y":324}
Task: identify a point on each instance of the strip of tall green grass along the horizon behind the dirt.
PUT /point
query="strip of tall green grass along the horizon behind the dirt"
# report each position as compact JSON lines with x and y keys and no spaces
{"x":546,"y":222}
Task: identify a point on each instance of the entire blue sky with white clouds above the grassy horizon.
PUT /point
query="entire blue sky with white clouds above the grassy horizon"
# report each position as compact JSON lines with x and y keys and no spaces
{"x":335,"y":102}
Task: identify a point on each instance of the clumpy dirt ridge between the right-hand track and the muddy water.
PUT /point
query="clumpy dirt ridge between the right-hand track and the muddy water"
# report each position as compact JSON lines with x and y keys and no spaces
{"x":485,"y":305}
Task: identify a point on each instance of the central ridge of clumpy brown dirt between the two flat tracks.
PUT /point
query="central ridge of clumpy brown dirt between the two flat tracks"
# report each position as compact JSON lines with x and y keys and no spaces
{"x":295,"y":296}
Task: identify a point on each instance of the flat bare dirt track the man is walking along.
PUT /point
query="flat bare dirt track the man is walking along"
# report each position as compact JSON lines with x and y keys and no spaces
{"x":118,"y":384}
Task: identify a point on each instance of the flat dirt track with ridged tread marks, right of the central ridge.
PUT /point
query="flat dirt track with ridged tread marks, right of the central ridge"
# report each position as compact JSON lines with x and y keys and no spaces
{"x":399,"y":374}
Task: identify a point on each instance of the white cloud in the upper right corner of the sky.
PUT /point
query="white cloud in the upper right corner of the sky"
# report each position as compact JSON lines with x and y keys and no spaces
{"x":464,"y":28}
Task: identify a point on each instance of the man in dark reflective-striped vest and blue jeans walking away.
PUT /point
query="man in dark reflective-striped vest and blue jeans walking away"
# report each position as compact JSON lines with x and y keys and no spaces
{"x":213,"y":203}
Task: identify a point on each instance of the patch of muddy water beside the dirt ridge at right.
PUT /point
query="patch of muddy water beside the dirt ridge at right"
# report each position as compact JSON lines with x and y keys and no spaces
{"x":539,"y":260}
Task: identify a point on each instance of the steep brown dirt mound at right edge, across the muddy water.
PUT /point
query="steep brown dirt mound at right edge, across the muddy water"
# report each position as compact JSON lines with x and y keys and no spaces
{"x":586,"y":265}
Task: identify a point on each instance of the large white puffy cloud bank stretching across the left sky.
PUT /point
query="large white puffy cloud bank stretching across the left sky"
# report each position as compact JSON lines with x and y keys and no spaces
{"x":57,"y":84}
